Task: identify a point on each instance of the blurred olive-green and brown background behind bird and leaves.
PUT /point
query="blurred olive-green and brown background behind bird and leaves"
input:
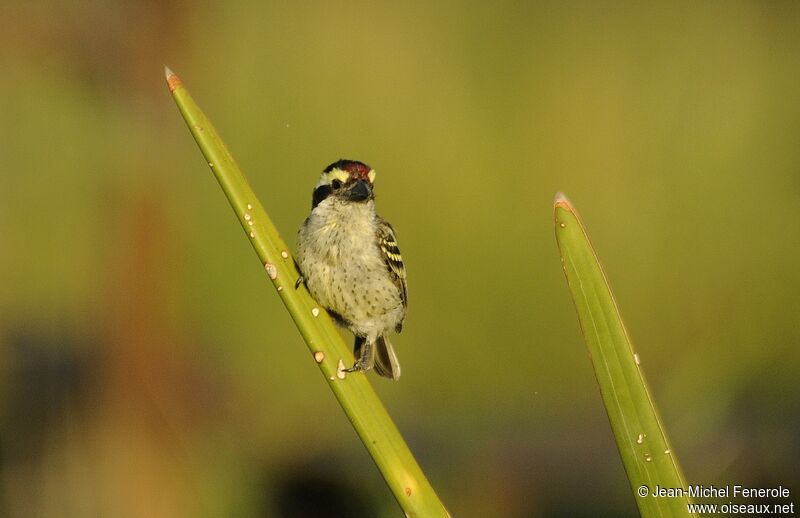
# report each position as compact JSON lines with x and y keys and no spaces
{"x":148,"y":369}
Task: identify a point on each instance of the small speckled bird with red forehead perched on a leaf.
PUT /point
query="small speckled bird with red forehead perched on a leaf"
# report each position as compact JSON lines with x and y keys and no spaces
{"x":349,"y":260}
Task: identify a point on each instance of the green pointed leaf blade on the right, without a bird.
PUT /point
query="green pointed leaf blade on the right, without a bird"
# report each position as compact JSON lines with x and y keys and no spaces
{"x":645,"y":450}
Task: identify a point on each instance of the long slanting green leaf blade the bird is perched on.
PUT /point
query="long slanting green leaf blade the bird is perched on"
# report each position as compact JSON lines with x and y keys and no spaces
{"x":353,"y":391}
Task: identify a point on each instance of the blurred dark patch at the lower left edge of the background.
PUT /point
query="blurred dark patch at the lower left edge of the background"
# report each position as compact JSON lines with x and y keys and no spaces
{"x":47,"y":380}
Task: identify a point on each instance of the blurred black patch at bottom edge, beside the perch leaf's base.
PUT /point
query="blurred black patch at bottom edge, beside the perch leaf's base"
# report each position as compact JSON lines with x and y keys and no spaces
{"x":318,"y":490}
